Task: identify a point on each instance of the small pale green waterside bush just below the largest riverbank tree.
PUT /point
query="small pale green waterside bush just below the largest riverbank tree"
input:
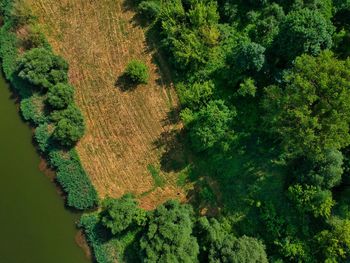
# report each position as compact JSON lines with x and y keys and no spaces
{"x":32,"y":109}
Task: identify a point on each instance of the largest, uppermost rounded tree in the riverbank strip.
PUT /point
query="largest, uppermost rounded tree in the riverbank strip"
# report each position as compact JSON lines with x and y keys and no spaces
{"x":41,"y":68}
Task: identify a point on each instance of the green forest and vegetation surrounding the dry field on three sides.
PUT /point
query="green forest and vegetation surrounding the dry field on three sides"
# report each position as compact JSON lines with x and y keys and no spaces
{"x":264,"y":88}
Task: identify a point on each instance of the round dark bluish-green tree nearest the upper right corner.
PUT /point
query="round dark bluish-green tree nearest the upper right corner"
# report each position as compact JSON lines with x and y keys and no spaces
{"x":303,"y":31}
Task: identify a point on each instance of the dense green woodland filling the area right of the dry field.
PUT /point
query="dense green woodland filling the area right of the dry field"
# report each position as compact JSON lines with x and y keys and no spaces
{"x":265,"y":95}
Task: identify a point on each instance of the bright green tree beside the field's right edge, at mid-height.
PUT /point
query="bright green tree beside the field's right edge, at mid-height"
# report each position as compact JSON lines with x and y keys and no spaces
{"x":212,"y":125}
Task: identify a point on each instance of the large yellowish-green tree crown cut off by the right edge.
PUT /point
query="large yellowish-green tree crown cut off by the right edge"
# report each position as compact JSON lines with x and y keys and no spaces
{"x":310,"y":111}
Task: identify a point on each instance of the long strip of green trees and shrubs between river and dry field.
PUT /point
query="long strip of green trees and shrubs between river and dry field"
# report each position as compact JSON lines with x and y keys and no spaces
{"x":34,"y":73}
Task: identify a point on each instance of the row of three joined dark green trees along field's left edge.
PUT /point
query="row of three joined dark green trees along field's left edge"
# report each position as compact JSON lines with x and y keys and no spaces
{"x":47,"y":74}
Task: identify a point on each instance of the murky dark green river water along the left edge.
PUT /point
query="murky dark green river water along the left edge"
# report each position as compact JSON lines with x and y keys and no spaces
{"x":34,"y":225}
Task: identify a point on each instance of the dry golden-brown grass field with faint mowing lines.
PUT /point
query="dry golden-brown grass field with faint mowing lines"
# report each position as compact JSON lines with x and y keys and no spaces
{"x":127,"y":130}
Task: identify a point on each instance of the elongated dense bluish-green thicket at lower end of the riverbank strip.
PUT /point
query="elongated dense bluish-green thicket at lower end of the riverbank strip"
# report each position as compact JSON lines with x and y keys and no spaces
{"x":81,"y":194}
